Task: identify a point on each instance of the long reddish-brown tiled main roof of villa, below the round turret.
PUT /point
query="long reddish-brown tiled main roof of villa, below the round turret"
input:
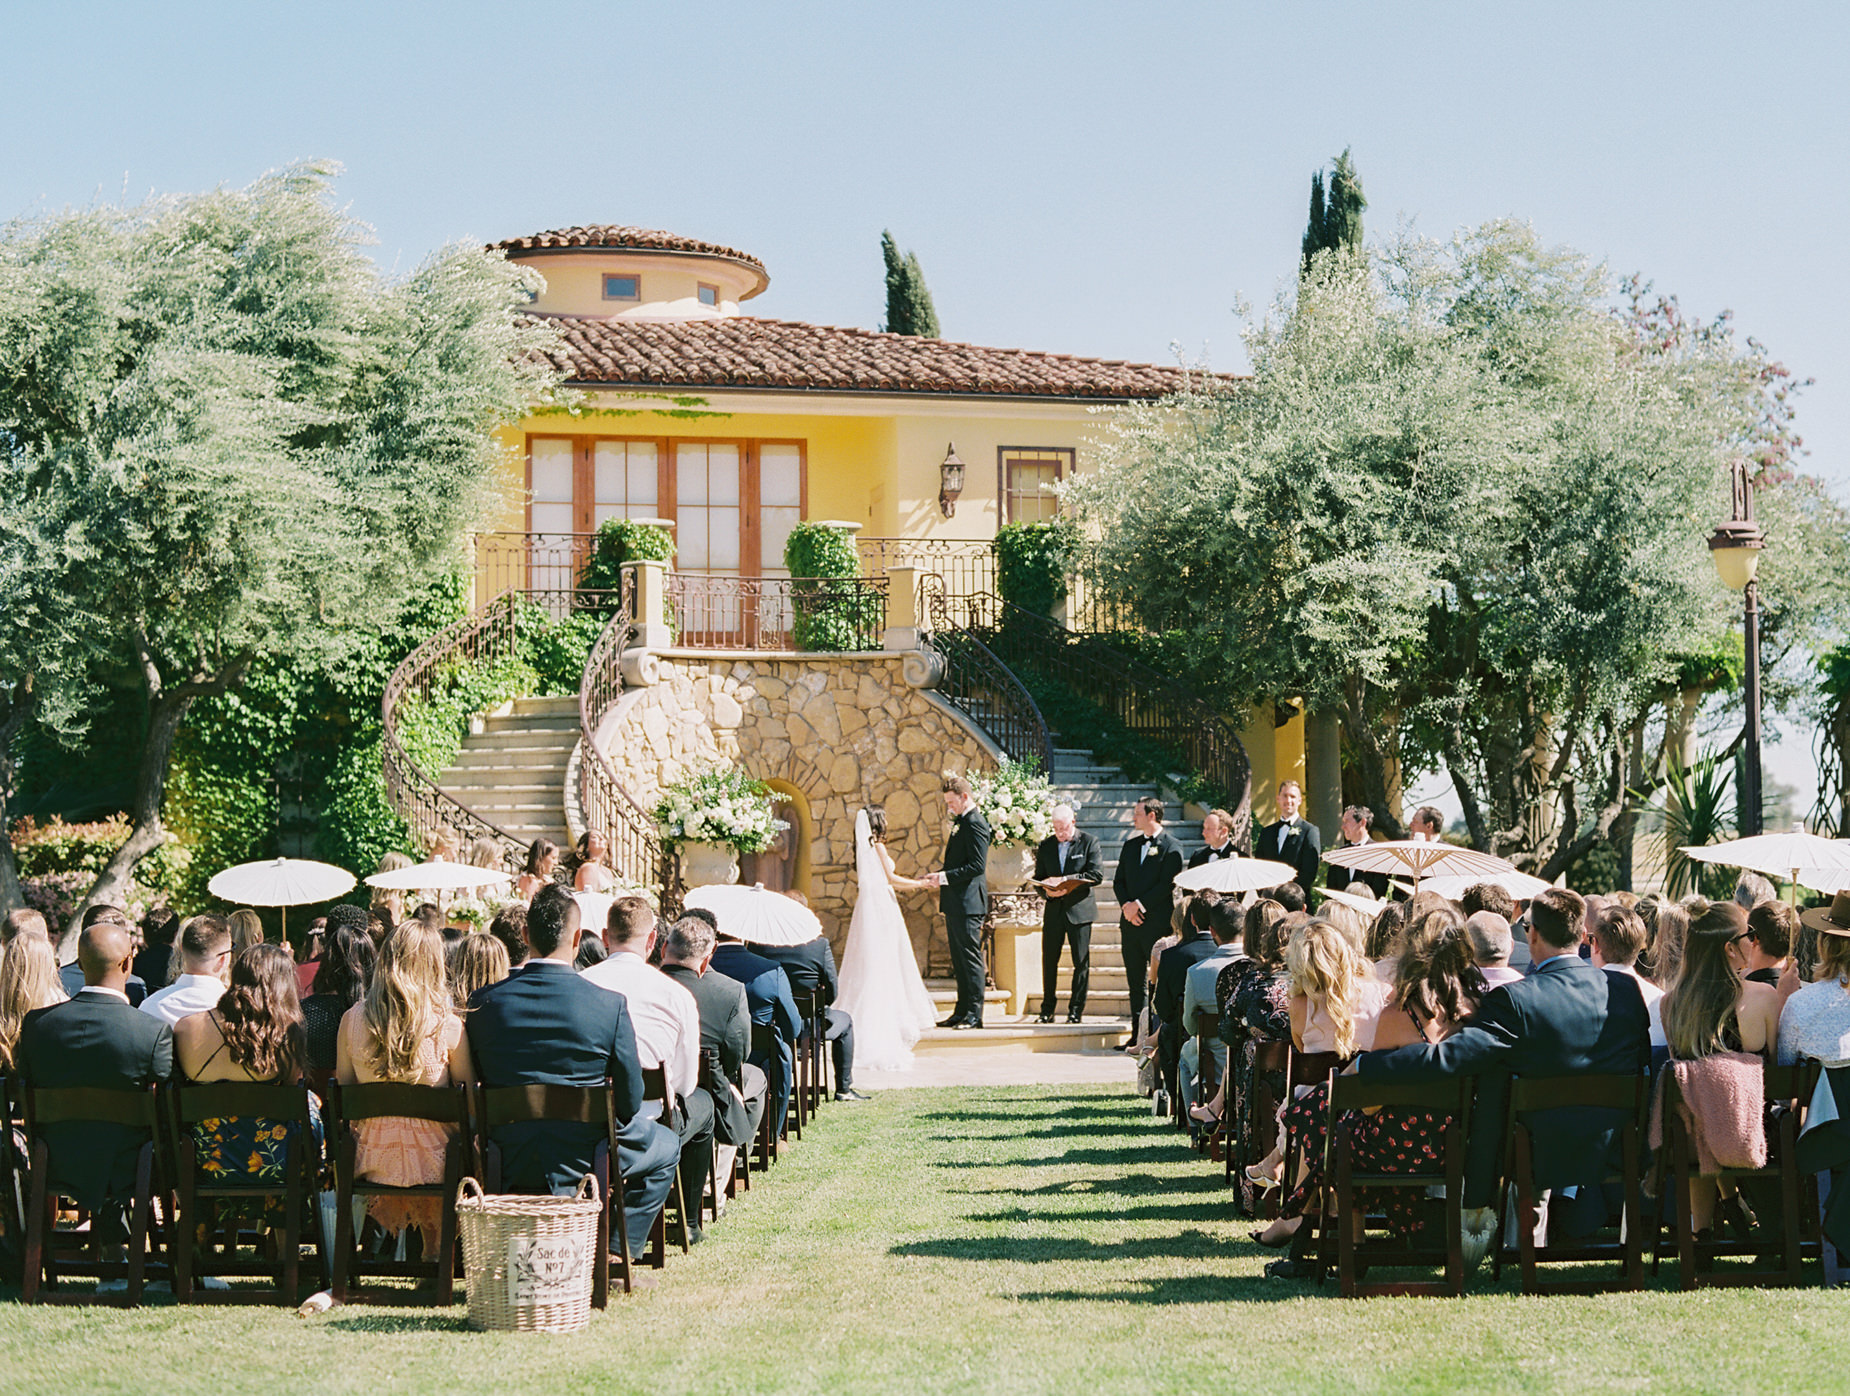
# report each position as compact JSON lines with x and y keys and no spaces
{"x":746,"y":352}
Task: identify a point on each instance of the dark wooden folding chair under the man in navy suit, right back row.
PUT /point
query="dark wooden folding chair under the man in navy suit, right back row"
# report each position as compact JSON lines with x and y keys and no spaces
{"x":1625,"y":1097}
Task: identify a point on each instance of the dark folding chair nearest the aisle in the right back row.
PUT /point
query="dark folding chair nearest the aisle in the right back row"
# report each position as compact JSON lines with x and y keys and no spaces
{"x":1446,"y":1097}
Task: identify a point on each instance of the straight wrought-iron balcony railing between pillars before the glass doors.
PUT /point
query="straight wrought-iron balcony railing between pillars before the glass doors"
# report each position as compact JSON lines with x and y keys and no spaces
{"x":778,"y":613}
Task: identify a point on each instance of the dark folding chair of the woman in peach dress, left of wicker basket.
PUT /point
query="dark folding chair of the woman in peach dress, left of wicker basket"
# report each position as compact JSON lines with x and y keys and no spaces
{"x":347,"y":1108}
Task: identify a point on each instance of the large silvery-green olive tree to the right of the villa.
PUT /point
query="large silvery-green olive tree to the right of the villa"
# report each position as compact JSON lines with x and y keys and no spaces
{"x":1462,"y":502}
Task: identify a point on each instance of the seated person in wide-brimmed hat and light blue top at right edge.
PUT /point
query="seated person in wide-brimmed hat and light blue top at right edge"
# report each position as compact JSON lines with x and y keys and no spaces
{"x":1816,"y":1027}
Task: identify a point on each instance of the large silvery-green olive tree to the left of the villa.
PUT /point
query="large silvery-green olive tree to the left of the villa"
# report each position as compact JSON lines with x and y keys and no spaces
{"x":227,"y":435}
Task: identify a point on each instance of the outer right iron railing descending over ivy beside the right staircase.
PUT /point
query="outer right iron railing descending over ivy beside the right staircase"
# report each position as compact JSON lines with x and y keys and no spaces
{"x":1152,"y":705}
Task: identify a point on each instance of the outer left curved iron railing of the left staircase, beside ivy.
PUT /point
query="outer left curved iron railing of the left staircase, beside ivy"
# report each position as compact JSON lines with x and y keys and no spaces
{"x":487,"y":637}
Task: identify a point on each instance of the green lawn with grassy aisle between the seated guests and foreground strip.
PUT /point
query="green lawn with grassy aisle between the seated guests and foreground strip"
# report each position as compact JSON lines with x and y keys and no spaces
{"x":1011,"y":1240}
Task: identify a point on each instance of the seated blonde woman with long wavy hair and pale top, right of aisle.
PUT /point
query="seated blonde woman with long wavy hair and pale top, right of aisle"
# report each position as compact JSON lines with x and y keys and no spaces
{"x":1335,"y":1009}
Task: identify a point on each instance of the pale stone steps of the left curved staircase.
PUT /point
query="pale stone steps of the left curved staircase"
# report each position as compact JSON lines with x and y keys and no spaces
{"x":512,"y":768}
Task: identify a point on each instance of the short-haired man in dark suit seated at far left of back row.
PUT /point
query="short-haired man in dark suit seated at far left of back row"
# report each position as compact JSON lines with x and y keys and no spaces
{"x":93,"y":1040}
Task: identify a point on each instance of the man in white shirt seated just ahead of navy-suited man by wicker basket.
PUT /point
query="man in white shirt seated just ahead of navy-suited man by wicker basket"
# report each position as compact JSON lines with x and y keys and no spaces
{"x":667,"y":1023}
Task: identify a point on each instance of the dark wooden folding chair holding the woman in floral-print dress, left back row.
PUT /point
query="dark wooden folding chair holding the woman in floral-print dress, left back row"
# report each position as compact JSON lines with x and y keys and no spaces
{"x":280,"y":1107}
